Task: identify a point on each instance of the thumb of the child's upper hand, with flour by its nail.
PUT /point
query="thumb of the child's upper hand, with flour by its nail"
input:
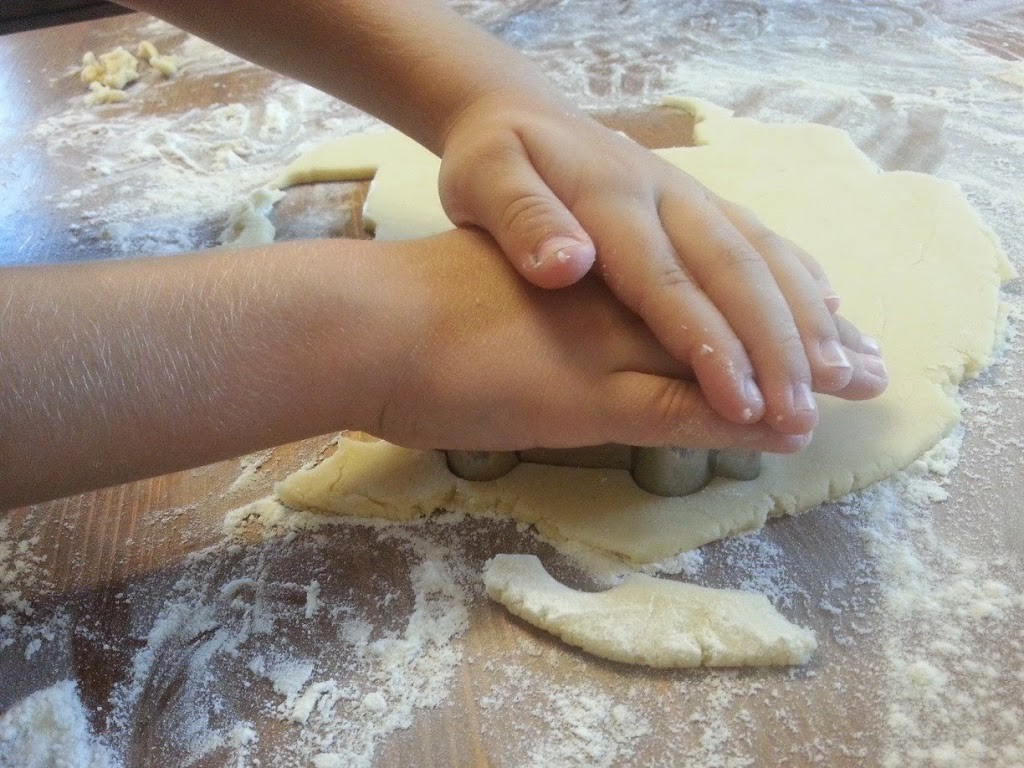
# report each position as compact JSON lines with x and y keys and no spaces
{"x":505,"y":196}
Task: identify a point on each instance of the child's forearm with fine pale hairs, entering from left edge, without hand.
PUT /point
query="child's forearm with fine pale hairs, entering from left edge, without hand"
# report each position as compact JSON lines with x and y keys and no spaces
{"x":115,"y":371}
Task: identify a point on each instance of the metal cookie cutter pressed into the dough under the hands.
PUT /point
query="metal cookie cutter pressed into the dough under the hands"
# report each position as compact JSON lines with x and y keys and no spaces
{"x":663,"y":472}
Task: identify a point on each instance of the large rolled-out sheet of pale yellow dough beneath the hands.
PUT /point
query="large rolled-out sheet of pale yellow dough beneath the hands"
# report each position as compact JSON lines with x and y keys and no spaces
{"x":914,"y":265}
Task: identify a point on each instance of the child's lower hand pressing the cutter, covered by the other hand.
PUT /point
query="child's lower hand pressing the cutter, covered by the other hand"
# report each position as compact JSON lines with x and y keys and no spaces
{"x":489,"y":362}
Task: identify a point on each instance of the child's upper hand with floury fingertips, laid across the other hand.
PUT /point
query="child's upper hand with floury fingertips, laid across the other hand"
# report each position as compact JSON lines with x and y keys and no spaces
{"x":747,"y":311}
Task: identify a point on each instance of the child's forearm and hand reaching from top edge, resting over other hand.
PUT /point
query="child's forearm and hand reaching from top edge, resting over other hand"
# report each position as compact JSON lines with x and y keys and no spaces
{"x":747,"y":311}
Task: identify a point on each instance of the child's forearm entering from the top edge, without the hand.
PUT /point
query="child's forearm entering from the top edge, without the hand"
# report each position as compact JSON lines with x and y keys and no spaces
{"x":415,"y":64}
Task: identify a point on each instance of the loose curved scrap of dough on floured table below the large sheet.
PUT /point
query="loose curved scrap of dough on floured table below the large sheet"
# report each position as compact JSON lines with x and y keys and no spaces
{"x":653,"y":622}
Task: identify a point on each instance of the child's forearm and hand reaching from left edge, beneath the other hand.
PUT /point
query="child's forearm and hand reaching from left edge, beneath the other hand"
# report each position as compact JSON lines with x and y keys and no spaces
{"x":116,"y":371}
